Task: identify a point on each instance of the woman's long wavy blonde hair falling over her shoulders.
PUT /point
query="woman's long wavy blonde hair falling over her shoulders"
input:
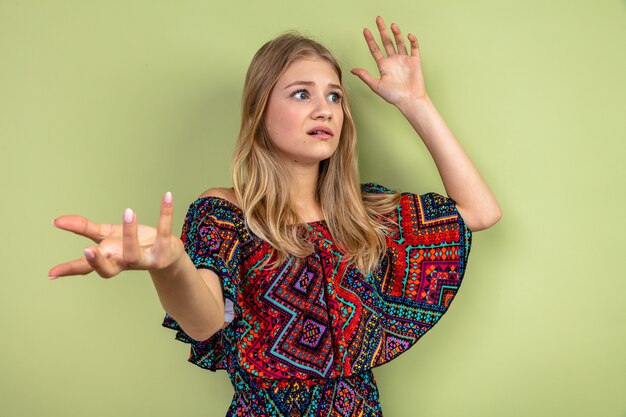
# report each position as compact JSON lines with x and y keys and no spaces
{"x":262,"y":186}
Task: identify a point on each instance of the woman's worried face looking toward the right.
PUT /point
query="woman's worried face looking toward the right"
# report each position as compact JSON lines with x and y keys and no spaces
{"x":304,"y":115}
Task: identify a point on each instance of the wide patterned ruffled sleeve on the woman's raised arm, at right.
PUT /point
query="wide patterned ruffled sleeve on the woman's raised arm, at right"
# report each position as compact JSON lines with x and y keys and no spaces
{"x":427,"y":254}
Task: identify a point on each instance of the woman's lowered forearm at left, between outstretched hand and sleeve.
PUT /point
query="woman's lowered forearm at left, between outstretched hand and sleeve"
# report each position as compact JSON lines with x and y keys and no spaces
{"x":186,"y":296}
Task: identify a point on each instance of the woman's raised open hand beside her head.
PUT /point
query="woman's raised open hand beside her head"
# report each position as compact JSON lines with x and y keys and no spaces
{"x":401,"y":80}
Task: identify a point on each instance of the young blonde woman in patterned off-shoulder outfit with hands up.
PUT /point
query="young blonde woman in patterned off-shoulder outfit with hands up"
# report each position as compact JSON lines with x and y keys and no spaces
{"x":299,"y":280}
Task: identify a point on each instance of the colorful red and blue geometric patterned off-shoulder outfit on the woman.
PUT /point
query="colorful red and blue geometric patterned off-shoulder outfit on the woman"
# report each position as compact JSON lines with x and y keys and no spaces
{"x":305,"y":336}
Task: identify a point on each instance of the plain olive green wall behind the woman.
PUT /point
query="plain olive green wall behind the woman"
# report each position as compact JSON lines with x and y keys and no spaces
{"x":107,"y":105}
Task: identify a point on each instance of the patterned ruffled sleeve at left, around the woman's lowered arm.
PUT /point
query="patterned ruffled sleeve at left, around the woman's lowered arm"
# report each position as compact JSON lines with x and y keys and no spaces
{"x":212,"y":238}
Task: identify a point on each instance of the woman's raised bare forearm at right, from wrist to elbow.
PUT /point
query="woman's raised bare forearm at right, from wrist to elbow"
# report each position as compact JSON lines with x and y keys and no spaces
{"x":461,"y":179}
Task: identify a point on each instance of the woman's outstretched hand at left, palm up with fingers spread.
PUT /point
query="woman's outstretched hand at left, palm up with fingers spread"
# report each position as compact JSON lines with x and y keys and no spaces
{"x":122,"y":247}
